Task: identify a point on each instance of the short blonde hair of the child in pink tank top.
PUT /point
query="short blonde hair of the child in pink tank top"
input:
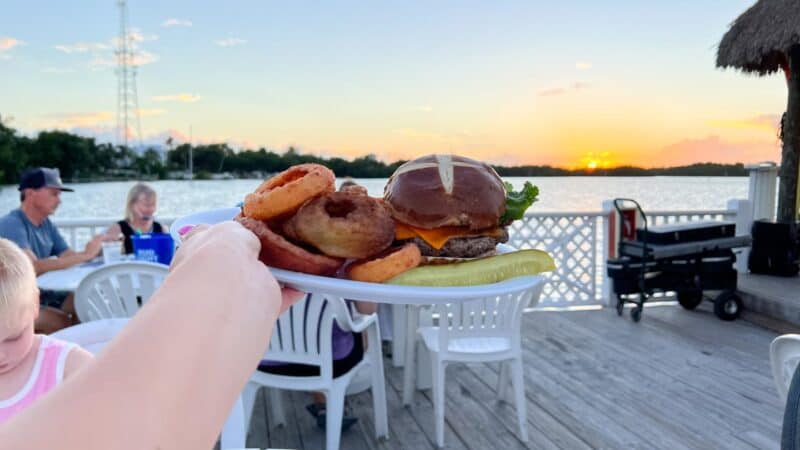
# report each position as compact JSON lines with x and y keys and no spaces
{"x":17,"y":281}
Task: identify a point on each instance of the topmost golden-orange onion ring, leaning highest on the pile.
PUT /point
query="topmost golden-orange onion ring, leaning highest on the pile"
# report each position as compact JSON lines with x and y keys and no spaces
{"x":284,"y":193}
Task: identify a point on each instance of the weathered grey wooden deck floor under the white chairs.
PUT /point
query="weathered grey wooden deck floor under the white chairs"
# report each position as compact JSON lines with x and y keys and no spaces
{"x":675,"y":380}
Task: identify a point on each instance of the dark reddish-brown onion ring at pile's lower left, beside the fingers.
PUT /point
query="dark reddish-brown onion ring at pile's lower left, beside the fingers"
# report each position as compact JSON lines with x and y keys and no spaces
{"x":278,"y":252}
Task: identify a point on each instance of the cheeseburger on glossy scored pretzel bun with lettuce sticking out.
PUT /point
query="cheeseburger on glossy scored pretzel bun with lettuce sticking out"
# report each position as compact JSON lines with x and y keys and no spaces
{"x":453,"y":206}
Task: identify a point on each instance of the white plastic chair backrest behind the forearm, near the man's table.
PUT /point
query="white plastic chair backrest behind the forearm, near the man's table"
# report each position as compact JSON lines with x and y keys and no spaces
{"x":117,"y":290}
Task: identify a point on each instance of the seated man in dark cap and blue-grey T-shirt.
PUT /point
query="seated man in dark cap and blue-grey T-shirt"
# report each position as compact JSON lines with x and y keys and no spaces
{"x":30,"y":228}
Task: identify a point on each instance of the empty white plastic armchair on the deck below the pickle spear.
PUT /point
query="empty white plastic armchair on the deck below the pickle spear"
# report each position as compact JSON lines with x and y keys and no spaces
{"x":481,"y":330}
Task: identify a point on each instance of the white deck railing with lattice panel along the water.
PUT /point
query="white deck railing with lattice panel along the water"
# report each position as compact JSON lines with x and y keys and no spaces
{"x":576,"y":240}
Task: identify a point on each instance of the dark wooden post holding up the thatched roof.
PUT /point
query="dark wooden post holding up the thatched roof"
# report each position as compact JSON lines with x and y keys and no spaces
{"x":787,"y":198}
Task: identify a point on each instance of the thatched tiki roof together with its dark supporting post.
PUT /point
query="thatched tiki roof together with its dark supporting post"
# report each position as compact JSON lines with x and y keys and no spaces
{"x":763,"y":40}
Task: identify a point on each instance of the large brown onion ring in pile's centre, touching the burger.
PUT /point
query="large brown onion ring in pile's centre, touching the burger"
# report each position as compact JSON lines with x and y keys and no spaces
{"x":344,"y":224}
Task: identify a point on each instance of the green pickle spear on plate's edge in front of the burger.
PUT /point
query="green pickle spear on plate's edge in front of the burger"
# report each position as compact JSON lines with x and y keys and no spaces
{"x":487,"y":270}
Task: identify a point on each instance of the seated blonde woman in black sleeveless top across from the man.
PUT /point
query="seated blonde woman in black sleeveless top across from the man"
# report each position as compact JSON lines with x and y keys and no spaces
{"x":139,"y":211}
